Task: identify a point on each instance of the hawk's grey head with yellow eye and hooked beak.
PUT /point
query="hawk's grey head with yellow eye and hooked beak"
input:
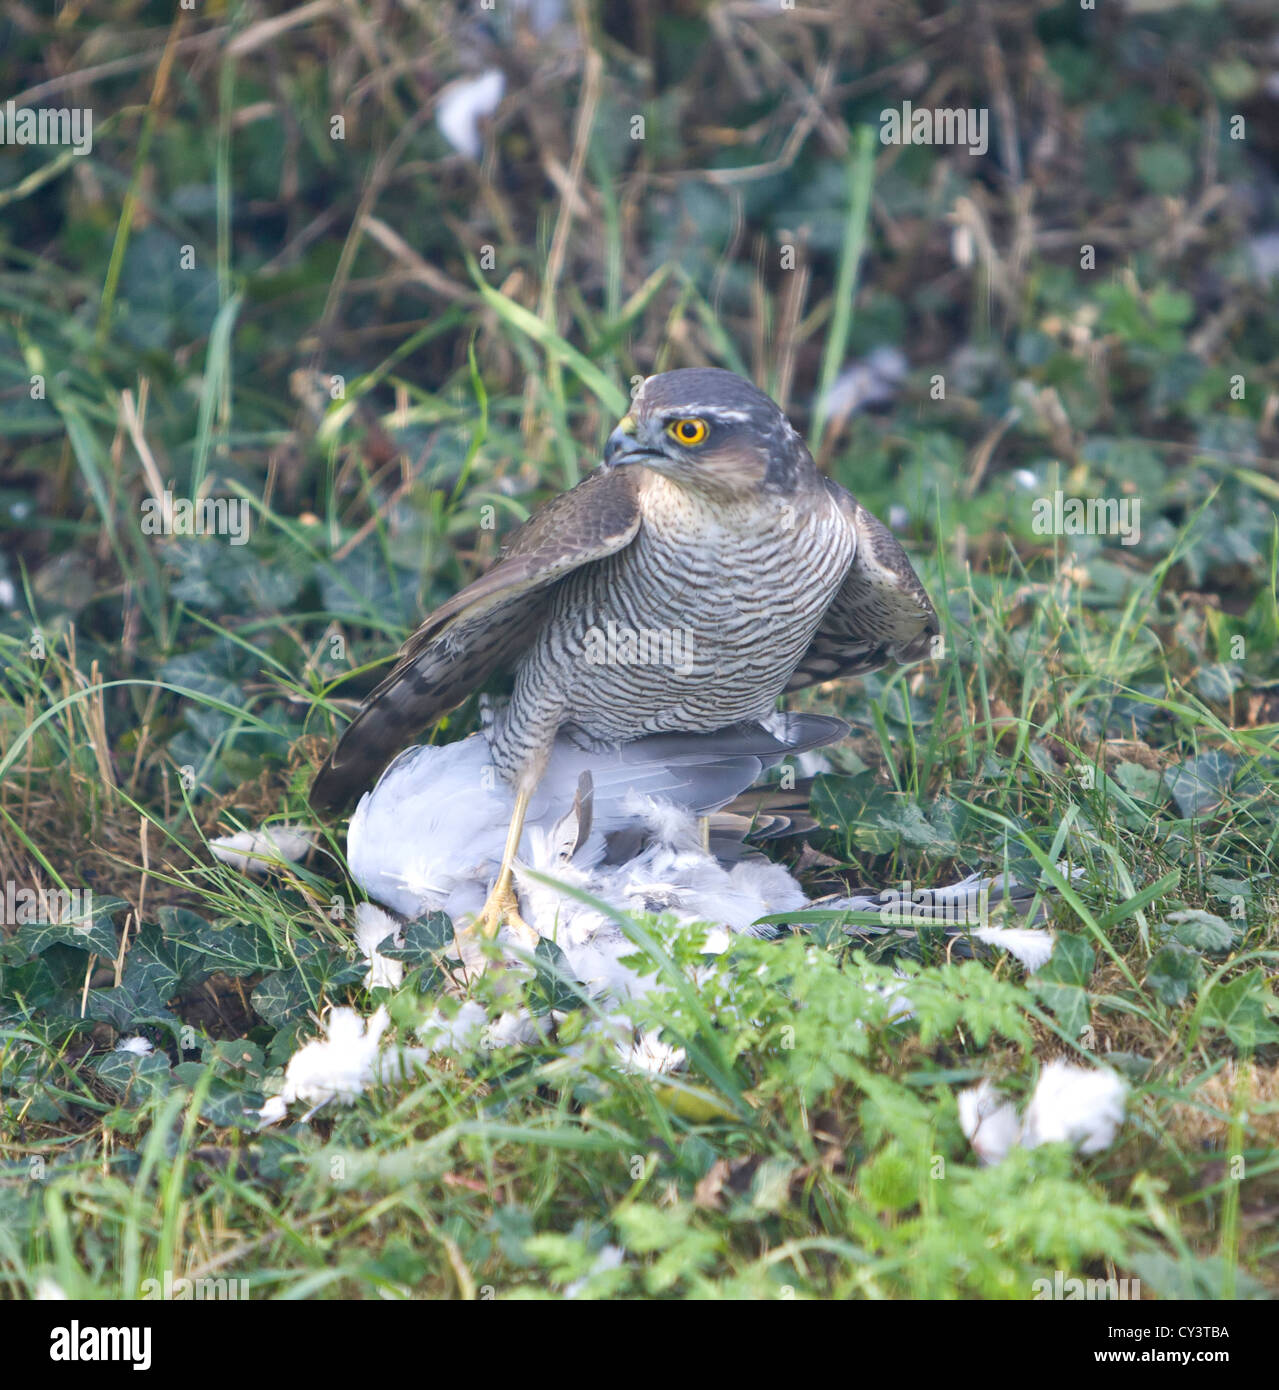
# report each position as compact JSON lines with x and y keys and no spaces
{"x":711,"y":430}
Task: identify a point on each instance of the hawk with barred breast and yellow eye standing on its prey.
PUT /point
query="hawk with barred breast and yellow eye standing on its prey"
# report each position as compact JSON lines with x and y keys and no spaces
{"x":703,"y":572}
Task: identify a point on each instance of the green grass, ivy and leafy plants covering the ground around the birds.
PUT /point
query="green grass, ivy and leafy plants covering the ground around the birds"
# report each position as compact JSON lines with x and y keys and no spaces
{"x":276,"y":280}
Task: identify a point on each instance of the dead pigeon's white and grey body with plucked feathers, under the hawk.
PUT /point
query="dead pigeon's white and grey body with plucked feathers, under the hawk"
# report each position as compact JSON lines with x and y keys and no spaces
{"x":618,"y":826}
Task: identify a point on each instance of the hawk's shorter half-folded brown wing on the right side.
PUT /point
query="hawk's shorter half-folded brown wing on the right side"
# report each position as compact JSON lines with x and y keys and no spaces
{"x":881,"y":615}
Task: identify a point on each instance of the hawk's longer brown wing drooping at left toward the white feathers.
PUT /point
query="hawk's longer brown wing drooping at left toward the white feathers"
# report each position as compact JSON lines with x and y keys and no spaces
{"x":480,"y":630}
